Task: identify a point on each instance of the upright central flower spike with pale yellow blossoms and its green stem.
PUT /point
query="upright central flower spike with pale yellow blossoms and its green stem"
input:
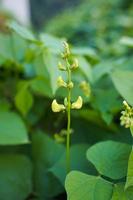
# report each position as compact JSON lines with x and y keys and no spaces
{"x":68,"y":67}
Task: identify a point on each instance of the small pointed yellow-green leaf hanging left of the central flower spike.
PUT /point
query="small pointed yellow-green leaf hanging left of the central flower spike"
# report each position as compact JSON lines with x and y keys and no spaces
{"x":24,"y":100}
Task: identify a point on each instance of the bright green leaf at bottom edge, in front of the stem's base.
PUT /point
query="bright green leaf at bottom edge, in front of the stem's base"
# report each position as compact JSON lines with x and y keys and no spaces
{"x":82,"y":186}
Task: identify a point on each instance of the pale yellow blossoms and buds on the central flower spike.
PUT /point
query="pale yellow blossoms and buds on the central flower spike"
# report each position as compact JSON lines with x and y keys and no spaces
{"x":68,"y":67}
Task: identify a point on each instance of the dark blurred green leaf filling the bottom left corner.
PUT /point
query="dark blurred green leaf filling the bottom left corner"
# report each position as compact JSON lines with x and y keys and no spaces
{"x":15,"y":177}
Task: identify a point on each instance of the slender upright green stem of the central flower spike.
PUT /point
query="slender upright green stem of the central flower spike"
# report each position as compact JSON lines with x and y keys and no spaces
{"x":68,"y":165}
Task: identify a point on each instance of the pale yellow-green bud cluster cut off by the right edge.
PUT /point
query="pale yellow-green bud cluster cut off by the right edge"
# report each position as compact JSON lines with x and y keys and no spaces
{"x":127,"y":116}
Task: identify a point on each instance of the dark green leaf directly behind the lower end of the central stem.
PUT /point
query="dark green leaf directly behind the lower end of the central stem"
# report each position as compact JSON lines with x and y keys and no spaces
{"x":78,"y":162}
